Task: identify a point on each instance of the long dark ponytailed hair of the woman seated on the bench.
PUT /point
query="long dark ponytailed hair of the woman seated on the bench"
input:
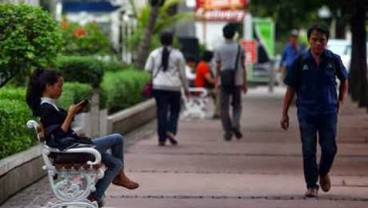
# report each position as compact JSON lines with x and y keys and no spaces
{"x":37,"y":85}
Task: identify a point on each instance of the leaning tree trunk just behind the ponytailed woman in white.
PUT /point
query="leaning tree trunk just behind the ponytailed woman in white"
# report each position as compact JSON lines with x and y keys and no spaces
{"x":144,"y":45}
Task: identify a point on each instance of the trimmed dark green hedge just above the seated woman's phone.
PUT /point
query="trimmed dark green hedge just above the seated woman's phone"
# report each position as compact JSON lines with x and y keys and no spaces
{"x":83,"y":69}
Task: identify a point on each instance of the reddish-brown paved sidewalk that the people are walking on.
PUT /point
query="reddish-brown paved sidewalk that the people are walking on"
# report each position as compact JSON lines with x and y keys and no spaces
{"x":262,"y":170}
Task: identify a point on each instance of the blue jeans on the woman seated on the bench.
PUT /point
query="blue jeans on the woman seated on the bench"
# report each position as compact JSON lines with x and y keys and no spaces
{"x":113,"y":161}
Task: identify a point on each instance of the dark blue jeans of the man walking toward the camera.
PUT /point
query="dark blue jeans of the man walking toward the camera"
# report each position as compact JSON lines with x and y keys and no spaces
{"x":323,"y":125}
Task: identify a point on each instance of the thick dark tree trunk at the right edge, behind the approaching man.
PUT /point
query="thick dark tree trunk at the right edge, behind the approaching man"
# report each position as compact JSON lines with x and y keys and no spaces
{"x":358,"y":66}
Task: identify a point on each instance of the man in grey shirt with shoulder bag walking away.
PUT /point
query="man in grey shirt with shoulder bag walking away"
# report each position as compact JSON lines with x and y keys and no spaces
{"x":231,"y":78}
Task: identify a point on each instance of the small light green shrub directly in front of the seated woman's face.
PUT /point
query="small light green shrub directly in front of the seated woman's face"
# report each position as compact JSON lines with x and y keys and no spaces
{"x":73,"y":92}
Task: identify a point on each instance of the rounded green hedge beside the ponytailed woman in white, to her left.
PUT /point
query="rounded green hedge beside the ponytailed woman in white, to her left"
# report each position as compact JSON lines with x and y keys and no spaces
{"x":124,"y":89}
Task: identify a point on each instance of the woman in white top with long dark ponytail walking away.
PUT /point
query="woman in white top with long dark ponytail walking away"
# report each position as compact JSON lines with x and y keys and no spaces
{"x":169,"y":65}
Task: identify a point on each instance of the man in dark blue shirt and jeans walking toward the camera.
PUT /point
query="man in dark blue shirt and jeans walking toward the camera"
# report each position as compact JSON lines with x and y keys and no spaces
{"x":312,"y":76}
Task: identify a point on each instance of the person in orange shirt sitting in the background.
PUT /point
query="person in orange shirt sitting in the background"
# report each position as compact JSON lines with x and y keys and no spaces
{"x":205,"y":79}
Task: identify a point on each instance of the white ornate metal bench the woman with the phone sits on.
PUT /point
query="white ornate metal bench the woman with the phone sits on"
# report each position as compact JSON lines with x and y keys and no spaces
{"x":72,"y":173}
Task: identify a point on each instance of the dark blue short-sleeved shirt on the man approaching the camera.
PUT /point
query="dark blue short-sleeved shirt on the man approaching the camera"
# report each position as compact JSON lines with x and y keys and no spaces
{"x":316,"y":86}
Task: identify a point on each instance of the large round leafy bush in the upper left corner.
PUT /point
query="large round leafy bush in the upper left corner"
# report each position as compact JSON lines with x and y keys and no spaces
{"x":29,"y":37}
